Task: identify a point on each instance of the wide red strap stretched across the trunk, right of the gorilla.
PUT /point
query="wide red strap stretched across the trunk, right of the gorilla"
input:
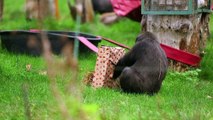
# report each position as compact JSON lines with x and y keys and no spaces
{"x":181,"y":56}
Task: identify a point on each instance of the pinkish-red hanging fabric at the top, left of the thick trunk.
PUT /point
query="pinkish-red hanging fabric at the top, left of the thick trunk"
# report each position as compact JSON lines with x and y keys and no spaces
{"x":128,"y":8}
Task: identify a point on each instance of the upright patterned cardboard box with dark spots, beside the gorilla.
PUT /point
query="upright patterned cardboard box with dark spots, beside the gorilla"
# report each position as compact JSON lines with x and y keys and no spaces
{"x":106,"y":60}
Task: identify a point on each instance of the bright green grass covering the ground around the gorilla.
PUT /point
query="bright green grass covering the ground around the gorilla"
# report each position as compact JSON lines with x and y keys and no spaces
{"x":183,"y":95}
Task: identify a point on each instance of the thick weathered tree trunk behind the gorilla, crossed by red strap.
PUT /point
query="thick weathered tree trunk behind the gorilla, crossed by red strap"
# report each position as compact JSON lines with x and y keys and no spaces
{"x":184,"y":32}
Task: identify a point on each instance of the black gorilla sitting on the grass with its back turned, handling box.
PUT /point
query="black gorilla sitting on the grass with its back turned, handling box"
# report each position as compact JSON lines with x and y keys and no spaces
{"x":144,"y":67}
